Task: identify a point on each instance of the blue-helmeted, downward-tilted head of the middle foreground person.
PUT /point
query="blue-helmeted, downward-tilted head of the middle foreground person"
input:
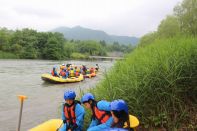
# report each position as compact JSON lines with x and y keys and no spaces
{"x":87,"y":100}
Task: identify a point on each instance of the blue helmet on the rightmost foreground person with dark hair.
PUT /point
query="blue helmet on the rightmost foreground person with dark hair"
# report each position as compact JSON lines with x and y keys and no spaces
{"x":119,"y":105}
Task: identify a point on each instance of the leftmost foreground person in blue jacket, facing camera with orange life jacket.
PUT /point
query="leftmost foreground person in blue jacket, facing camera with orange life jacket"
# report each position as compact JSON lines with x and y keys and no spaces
{"x":72,"y":113}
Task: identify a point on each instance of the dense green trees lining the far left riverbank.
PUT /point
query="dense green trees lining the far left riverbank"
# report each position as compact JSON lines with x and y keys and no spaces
{"x":30,"y":44}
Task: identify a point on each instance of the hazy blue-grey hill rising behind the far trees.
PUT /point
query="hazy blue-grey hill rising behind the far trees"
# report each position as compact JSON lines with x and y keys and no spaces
{"x":80,"y":33}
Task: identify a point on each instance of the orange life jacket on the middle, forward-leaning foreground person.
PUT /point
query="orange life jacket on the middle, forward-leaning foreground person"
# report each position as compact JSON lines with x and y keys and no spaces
{"x":100,"y":115}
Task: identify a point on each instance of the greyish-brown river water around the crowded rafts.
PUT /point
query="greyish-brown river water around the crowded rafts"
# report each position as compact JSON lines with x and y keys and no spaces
{"x":44,"y":99}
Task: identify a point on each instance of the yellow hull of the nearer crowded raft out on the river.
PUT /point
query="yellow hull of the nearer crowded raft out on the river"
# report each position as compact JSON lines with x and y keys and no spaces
{"x":52,"y":79}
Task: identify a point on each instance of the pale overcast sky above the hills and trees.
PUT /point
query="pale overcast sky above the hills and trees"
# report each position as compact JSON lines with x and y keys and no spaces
{"x":115,"y":17}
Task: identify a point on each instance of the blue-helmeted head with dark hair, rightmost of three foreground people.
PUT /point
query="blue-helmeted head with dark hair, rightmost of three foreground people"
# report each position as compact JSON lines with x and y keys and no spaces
{"x":119,"y":111}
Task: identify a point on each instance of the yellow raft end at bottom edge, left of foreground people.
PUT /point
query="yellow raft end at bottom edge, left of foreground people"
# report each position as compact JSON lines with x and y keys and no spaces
{"x":50,"y":125}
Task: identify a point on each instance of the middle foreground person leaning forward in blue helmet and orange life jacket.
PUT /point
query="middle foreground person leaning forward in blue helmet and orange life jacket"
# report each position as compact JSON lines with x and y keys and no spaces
{"x":101,"y":116}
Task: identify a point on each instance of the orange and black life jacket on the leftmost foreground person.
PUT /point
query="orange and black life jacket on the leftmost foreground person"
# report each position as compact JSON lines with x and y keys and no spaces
{"x":69,"y":112}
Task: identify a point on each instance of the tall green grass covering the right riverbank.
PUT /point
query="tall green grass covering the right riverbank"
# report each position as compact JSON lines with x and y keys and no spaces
{"x":159,"y":83}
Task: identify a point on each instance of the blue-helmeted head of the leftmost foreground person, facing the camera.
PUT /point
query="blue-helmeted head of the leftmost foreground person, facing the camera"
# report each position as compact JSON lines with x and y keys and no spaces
{"x":69,"y":97}
